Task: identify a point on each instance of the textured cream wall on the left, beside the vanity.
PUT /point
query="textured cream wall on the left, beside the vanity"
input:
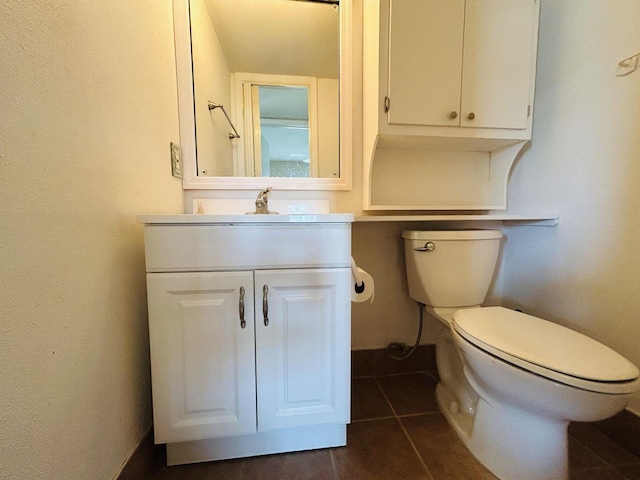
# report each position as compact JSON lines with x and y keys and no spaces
{"x":87,"y":110}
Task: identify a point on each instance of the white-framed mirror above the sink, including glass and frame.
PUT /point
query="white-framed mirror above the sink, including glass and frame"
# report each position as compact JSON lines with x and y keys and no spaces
{"x":257,"y":99}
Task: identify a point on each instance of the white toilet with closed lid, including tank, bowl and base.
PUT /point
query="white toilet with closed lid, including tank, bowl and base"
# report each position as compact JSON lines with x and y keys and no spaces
{"x":510,"y":383}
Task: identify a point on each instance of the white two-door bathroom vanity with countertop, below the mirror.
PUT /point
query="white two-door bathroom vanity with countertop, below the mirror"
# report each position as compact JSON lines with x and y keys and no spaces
{"x":249,"y":324}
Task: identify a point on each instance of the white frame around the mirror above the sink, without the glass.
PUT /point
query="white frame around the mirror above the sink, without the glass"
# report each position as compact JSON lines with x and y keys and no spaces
{"x":187,"y":122}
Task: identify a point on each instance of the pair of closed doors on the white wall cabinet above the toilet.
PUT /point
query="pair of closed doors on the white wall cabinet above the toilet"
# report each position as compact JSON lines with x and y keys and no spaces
{"x":460,"y":62}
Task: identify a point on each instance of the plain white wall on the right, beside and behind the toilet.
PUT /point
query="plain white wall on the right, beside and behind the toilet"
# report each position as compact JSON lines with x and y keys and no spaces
{"x":584,"y":164}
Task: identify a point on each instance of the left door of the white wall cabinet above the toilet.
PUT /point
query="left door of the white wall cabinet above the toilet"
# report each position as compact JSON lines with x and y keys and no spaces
{"x":425,"y":61}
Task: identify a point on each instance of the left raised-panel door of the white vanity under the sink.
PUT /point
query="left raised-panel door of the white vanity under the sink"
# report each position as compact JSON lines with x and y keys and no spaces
{"x":202,"y":359}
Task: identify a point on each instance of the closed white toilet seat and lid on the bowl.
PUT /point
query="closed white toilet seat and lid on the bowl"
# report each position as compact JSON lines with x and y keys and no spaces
{"x":547,"y":349}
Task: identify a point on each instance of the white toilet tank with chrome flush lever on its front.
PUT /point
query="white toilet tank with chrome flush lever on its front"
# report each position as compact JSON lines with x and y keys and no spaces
{"x":450,"y":268}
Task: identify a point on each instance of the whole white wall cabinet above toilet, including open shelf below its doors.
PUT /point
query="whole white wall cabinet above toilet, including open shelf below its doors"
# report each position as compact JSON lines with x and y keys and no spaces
{"x":452,"y":76}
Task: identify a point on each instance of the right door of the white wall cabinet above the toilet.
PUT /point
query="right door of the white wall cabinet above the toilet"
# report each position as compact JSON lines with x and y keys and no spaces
{"x":497,"y":63}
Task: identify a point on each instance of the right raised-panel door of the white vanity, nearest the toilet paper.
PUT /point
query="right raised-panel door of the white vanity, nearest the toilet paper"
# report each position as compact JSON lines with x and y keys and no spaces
{"x":303,"y":353}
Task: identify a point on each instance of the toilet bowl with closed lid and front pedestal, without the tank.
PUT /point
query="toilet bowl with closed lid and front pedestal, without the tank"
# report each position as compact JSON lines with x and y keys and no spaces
{"x":532,"y":378}
